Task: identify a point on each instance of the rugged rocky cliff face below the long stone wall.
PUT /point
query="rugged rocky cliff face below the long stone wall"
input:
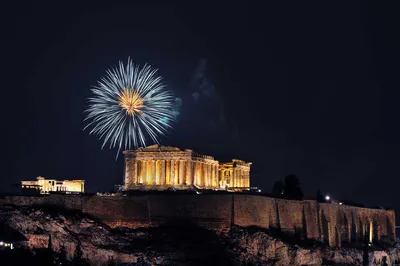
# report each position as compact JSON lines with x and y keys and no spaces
{"x":75,"y":234}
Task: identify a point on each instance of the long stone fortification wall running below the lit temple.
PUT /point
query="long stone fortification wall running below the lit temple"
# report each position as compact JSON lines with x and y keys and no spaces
{"x":330,"y":223}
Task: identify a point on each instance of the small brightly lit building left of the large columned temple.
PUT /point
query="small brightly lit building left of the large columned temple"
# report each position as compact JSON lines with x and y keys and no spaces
{"x":44,"y":186}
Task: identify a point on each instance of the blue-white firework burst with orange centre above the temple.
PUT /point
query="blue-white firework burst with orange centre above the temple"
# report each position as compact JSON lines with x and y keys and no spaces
{"x":128,"y":106}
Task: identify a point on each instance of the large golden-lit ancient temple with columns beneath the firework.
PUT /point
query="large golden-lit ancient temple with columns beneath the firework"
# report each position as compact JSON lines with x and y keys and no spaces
{"x":160,"y":167}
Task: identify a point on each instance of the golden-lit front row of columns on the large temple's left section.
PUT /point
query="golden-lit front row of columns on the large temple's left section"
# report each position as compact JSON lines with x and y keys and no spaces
{"x":171,"y":172}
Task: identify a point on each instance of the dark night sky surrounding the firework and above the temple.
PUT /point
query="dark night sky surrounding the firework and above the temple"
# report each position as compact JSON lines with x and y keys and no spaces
{"x":303,"y":88}
